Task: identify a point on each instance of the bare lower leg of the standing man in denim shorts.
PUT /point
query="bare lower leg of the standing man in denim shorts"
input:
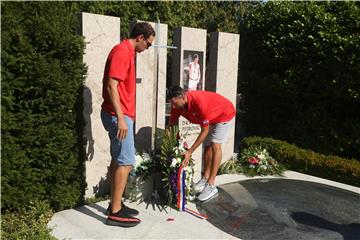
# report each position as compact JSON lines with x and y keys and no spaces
{"x":120,"y":177}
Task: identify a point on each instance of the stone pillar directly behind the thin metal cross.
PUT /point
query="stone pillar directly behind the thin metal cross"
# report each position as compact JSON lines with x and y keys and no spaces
{"x":150,"y":96}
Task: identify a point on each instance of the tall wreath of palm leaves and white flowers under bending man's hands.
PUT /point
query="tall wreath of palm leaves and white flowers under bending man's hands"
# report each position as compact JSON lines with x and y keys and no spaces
{"x":170,"y":160}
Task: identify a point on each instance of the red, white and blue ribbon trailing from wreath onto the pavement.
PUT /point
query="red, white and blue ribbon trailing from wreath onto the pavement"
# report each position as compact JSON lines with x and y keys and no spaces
{"x":181,"y":200}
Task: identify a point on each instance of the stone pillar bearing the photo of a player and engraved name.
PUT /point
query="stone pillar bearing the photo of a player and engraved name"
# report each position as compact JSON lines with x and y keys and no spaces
{"x":189,"y":42}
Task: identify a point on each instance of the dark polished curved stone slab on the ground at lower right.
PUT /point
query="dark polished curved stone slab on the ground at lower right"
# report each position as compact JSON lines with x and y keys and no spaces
{"x":284,"y":209}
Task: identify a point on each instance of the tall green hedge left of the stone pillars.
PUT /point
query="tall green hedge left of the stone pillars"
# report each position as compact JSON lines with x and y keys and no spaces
{"x":42,"y":72}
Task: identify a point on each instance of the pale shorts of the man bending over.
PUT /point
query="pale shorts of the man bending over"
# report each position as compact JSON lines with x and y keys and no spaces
{"x":218,"y":133}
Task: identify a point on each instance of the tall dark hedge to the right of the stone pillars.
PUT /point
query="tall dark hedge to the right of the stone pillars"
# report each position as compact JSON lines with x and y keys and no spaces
{"x":300,"y":74}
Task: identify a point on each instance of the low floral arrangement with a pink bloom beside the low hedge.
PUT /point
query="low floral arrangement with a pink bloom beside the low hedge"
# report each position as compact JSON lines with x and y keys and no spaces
{"x":257,"y":161}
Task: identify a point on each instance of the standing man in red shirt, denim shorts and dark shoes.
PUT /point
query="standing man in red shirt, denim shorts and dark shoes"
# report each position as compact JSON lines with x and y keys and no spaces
{"x":118,"y":114}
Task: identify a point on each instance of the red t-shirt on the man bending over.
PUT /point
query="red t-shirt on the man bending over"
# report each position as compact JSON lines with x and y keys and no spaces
{"x":205,"y":108}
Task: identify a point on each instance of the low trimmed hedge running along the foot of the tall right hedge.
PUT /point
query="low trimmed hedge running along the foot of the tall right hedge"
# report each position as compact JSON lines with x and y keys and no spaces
{"x":306,"y":161}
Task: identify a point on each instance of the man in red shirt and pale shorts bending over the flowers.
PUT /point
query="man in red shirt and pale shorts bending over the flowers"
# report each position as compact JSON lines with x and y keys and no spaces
{"x":215,"y":114}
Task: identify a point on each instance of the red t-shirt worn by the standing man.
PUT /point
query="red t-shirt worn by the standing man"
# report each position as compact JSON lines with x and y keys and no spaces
{"x":120,"y":65}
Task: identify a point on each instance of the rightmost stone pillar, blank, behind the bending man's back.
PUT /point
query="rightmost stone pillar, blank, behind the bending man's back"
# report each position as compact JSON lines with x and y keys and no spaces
{"x":223,"y":74}
